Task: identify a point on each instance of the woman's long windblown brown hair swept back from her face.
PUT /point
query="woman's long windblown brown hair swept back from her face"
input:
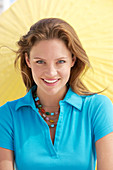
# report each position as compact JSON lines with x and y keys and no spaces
{"x":51,"y":28}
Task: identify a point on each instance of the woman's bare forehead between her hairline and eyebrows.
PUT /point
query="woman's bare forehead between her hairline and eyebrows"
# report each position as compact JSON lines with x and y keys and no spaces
{"x":50,"y":47}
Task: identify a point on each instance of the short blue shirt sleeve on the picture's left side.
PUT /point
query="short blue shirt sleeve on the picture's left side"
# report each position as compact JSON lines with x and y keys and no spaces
{"x":6,"y":128}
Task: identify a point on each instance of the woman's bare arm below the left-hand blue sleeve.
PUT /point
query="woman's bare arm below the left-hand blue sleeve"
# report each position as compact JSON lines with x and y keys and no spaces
{"x":6,"y":159}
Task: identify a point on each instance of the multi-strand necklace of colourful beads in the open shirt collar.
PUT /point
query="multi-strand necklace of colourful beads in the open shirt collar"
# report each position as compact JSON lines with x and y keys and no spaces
{"x":50,"y":118}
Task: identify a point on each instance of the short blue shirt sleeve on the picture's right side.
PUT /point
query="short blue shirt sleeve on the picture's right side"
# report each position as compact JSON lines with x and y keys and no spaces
{"x":101,"y":110}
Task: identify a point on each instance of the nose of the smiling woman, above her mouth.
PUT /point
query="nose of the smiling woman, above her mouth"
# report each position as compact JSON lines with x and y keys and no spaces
{"x":51,"y":71}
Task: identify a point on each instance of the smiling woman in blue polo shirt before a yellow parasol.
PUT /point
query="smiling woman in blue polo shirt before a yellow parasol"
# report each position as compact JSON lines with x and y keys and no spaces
{"x":59,"y":123}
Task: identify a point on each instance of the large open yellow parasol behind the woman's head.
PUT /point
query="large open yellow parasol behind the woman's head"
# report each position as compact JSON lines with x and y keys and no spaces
{"x":92,"y":20}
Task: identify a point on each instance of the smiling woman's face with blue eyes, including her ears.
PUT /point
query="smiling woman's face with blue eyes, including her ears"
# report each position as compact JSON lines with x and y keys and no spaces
{"x":50,"y":62}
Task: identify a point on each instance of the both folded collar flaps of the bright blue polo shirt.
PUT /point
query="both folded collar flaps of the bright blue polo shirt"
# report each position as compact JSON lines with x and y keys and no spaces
{"x":71,"y":97}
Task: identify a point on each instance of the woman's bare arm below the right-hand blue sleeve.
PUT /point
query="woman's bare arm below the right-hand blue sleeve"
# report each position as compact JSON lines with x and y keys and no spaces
{"x":104,"y":149}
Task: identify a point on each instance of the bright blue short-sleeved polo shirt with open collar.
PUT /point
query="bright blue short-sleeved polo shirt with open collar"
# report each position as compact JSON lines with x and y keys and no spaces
{"x":82,"y":121}
